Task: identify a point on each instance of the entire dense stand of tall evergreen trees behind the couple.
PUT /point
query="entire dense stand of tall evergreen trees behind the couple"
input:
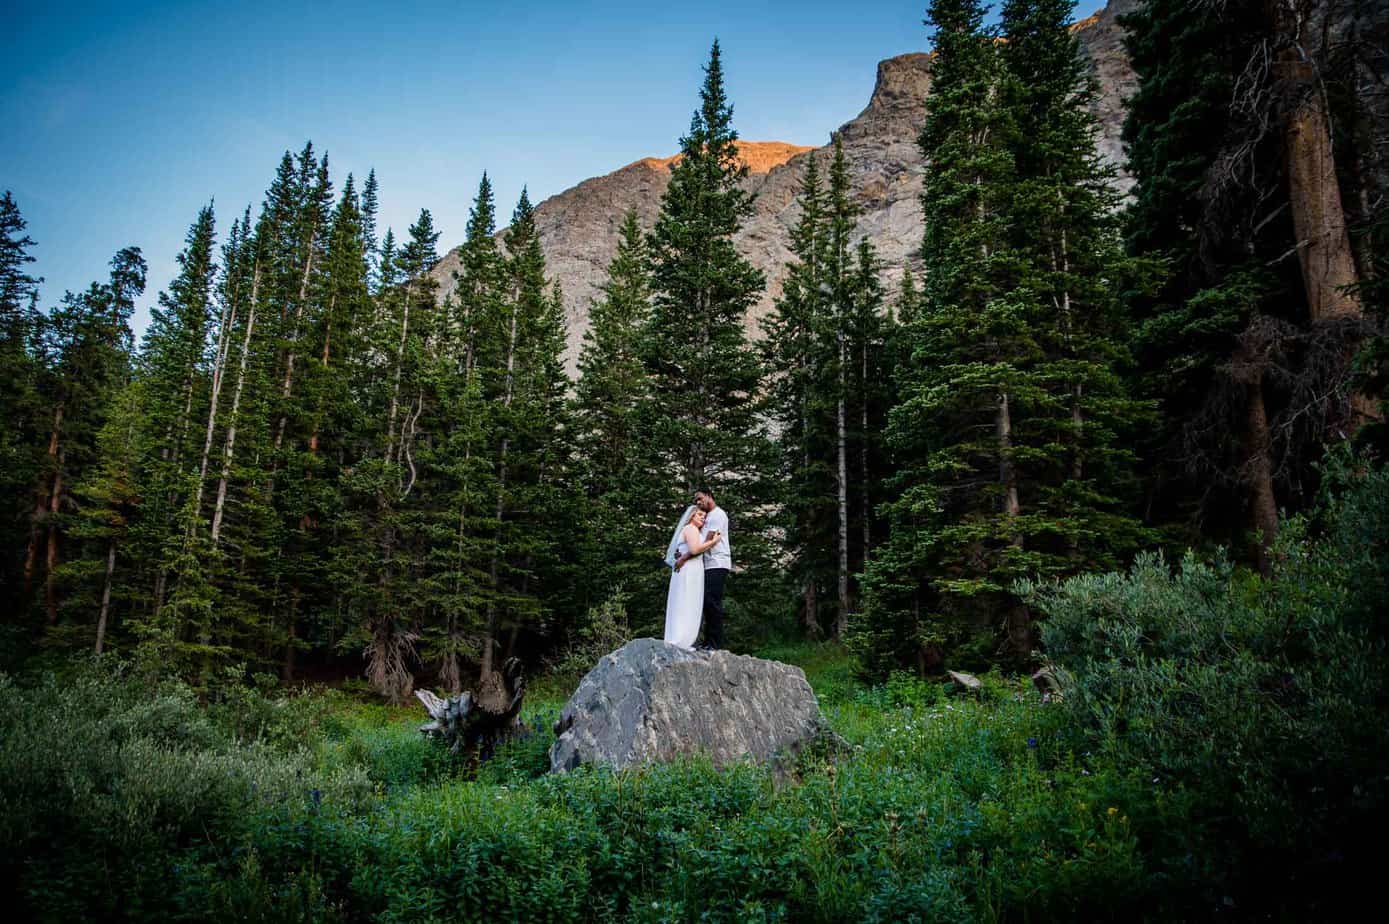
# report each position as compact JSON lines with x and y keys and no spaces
{"x":319,"y":462}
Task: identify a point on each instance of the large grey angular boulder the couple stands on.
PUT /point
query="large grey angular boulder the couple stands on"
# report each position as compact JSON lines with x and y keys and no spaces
{"x":651,"y":701}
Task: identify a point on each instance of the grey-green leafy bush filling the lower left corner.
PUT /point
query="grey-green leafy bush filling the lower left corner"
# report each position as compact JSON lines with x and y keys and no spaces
{"x":108,"y":782}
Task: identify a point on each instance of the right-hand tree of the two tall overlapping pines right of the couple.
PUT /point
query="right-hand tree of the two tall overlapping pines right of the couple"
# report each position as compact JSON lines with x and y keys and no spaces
{"x":1067,"y":236}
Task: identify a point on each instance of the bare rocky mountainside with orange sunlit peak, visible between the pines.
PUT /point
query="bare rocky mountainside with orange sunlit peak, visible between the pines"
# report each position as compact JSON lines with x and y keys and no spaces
{"x":580,"y":227}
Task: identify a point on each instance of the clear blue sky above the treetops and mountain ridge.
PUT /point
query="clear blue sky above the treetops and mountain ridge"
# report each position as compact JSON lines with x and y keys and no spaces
{"x":120,"y":122}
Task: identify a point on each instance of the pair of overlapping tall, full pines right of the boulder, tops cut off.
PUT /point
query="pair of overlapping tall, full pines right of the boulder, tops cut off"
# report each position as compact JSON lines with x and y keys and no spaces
{"x":1012,"y":415}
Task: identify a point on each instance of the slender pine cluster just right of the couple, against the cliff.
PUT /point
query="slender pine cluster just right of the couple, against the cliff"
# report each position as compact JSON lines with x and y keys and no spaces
{"x":824,"y":352}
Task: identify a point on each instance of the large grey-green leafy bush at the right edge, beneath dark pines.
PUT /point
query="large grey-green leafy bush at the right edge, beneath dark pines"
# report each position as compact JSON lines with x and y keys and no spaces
{"x":1262,"y":701}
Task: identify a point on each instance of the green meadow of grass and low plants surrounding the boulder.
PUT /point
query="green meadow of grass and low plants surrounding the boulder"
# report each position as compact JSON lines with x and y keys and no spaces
{"x":326,"y":808}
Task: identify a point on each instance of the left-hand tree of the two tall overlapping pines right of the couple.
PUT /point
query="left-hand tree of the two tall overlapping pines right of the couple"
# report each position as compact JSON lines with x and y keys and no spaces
{"x":952,"y":426}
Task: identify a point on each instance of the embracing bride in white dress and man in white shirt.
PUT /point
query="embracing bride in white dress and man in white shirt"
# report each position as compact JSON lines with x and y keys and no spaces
{"x":701,"y":562}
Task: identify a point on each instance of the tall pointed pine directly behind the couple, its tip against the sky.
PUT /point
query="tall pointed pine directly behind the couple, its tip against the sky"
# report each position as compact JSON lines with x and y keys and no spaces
{"x":704,"y":426}
